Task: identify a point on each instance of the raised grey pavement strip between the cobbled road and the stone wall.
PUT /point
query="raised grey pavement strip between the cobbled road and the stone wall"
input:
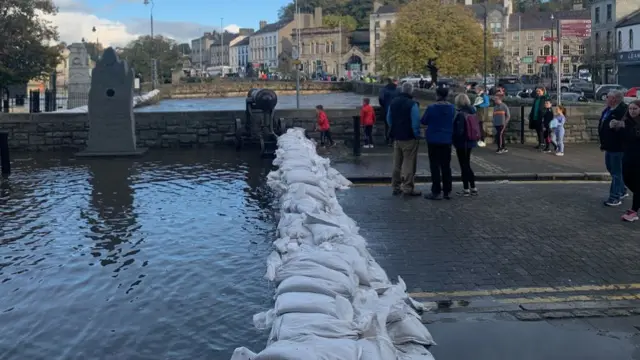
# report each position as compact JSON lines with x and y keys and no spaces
{"x":579,"y":158}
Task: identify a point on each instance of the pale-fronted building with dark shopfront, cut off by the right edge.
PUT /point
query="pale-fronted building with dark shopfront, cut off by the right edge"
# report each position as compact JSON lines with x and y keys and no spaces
{"x":628,"y":47}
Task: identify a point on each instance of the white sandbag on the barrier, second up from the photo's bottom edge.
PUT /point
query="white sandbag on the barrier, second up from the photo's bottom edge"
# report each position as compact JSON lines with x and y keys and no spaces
{"x":296,"y":325}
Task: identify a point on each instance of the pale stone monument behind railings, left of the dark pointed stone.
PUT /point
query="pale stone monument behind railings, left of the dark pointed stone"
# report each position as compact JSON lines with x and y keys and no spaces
{"x":79,"y":76}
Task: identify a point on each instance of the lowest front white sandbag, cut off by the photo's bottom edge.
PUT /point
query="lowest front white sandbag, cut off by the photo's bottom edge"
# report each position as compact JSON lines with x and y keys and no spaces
{"x":311,"y":348}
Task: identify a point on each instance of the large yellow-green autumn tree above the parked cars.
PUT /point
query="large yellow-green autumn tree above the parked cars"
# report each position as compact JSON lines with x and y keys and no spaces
{"x":419,"y":35}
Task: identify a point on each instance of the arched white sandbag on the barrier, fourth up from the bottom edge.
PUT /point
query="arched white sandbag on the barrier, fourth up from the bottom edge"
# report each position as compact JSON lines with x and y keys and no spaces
{"x":314,"y":270}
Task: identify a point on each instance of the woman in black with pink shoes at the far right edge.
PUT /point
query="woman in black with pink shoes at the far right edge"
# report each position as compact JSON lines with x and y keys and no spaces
{"x":629,"y":126}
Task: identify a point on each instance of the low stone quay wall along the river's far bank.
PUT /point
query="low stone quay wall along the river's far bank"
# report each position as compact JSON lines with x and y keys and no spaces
{"x":235,"y":88}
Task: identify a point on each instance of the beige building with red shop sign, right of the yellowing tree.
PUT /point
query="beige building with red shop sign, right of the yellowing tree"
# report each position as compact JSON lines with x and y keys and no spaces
{"x":530,"y":49}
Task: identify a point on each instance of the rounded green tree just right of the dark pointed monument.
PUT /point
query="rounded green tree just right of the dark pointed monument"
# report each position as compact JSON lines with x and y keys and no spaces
{"x":139,"y":53}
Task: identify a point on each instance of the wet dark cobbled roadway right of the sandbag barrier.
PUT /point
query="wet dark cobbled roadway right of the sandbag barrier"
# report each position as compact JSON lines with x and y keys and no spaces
{"x":511,"y":236}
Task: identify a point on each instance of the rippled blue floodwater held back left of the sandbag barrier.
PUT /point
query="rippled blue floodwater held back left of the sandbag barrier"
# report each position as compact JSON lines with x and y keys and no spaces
{"x":160,"y":257}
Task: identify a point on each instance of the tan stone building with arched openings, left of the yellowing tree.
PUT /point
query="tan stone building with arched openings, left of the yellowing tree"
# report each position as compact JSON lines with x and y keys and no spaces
{"x":331,"y":51}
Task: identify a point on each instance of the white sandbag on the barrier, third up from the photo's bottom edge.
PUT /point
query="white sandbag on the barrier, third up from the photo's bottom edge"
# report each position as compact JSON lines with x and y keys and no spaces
{"x":311,"y":303}
